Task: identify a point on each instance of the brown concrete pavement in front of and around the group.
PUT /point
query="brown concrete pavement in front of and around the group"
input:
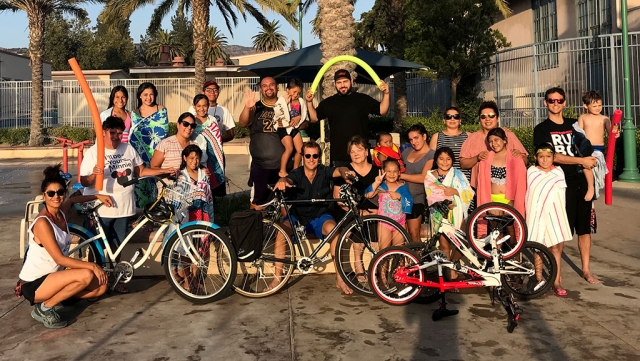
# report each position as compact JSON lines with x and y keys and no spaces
{"x":311,"y":320}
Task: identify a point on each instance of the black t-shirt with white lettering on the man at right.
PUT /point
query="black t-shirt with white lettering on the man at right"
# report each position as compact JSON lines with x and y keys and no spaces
{"x":561,"y":137}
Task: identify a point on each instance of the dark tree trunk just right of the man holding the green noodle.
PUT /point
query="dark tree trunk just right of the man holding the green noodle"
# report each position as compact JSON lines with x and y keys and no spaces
{"x":395,"y":19}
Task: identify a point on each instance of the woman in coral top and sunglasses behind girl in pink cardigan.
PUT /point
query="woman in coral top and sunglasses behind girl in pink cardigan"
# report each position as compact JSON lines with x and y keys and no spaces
{"x":476,"y":148}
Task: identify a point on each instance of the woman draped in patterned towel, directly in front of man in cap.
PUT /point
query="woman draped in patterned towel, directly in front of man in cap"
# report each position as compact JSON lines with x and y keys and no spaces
{"x":207,"y":127}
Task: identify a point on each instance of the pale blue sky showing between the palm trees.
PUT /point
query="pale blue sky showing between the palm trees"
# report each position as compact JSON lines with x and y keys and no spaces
{"x":16,"y":24}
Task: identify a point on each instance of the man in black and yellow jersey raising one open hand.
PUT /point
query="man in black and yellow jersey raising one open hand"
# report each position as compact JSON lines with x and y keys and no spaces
{"x":264,"y":144}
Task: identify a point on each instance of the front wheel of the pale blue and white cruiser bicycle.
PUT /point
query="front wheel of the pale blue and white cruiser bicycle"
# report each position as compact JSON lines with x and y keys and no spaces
{"x":204,"y":281}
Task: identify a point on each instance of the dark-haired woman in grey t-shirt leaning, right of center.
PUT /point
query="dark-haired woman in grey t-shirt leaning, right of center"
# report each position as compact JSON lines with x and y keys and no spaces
{"x":418,"y":161}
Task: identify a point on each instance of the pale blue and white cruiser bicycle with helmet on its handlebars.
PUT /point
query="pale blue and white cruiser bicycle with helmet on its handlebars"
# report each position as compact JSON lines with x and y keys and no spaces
{"x":195,"y":248}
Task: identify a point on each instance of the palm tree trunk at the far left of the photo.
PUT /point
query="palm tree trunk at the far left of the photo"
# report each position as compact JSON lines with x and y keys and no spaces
{"x":36,"y":52}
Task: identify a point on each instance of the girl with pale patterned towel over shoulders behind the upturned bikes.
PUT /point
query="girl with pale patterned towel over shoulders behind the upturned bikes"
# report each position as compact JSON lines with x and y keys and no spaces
{"x":446,"y":182}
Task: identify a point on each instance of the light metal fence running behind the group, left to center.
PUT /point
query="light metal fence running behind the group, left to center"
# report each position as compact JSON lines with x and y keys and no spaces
{"x":64,"y":103}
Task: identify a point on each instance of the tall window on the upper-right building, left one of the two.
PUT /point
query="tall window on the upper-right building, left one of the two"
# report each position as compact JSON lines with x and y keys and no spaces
{"x":545,"y":29}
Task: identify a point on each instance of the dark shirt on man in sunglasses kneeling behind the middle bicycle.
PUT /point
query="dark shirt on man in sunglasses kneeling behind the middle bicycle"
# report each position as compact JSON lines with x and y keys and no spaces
{"x":319,"y":189}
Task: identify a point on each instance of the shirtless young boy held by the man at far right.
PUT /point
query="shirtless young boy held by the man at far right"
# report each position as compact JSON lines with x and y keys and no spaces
{"x":594,"y":125}
